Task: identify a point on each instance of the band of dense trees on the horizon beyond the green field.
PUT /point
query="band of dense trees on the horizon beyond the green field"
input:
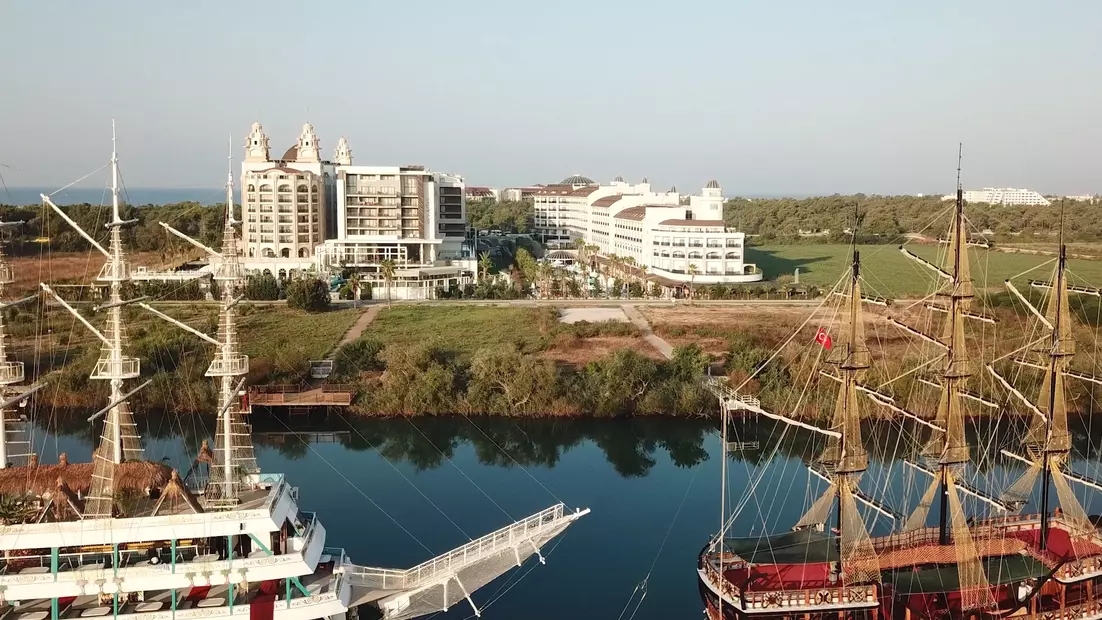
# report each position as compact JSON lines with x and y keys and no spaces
{"x":887,"y":219}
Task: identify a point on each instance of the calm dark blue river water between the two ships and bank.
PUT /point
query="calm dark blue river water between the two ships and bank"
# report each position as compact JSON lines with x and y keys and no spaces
{"x":447,"y":480}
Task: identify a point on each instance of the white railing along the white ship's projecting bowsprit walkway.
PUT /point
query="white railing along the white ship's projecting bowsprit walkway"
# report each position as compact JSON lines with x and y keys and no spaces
{"x":449,"y":563}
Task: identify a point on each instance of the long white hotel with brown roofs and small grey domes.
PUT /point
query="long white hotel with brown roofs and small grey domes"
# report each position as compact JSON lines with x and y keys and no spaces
{"x":655,"y":229}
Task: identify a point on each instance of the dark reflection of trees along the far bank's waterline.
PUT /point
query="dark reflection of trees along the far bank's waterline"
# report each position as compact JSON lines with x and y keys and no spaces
{"x":629,"y":445}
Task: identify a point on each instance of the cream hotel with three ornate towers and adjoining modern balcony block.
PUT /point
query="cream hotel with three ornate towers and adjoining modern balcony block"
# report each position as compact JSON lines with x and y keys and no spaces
{"x":302,"y":213}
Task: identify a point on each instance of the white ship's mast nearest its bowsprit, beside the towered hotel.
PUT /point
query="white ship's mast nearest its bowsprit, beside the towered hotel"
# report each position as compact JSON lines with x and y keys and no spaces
{"x":234,"y":456}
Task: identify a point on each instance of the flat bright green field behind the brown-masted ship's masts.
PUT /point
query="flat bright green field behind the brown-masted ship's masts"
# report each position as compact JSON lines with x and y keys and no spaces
{"x":892,"y":275}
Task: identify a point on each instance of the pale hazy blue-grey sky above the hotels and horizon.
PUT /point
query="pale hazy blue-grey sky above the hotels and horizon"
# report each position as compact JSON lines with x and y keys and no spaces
{"x":768,"y":97}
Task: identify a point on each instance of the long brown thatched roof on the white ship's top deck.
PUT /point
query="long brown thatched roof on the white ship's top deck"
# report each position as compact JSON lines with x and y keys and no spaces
{"x":41,"y":480}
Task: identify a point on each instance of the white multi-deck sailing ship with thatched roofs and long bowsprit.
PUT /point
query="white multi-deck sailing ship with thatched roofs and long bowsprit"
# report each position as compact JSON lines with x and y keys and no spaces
{"x":236,"y":546}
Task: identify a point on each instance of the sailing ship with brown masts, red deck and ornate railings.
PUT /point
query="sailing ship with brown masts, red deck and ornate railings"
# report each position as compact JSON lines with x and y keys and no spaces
{"x":941,"y":562}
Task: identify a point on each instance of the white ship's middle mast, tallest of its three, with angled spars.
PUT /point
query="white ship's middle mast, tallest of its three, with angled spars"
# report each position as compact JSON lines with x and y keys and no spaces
{"x":120,"y":441}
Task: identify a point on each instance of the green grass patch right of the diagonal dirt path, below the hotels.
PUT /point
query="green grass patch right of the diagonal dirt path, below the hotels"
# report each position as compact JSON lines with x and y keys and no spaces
{"x":463,"y":330}
